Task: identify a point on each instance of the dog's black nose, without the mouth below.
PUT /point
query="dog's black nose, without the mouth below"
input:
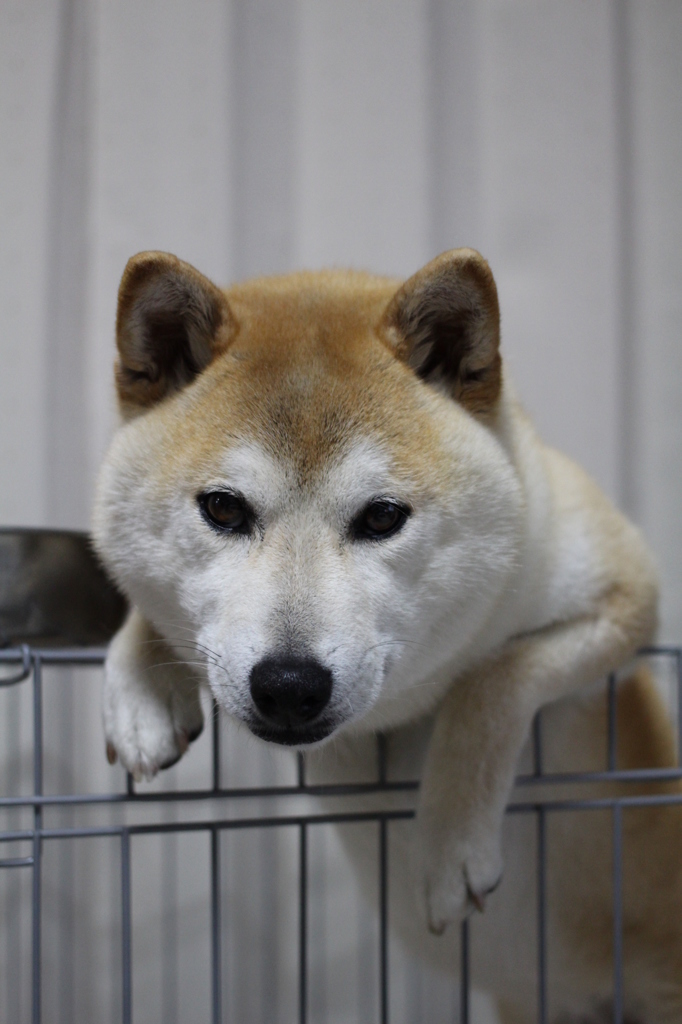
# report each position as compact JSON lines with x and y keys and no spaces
{"x":289,"y":693}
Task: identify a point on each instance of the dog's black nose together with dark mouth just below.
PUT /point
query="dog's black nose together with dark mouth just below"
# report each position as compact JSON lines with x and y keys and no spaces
{"x":291,"y":695}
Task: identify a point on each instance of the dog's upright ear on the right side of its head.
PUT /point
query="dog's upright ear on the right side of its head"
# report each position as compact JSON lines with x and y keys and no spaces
{"x":445,"y":323}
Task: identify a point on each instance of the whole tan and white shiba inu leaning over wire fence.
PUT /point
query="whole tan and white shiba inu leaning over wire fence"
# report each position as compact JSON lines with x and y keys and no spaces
{"x":325,"y":488}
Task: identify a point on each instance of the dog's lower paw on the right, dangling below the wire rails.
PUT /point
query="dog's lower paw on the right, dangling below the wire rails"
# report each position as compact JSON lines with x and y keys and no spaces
{"x":456,"y":875}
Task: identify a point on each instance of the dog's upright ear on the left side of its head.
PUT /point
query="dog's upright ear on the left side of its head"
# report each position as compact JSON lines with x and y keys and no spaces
{"x":172,"y":323}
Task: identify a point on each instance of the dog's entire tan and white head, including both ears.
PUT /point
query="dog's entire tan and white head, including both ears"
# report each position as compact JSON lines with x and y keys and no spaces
{"x":310,"y":491}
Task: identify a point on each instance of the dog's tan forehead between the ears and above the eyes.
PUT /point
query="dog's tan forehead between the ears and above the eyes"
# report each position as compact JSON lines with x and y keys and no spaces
{"x":308,"y":381}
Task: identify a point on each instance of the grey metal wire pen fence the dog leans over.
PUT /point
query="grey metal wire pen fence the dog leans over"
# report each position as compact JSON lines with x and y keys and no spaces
{"x":217,"y":810}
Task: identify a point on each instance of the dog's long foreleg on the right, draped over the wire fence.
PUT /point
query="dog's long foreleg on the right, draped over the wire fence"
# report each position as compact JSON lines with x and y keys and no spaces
{"x":480,"y":732}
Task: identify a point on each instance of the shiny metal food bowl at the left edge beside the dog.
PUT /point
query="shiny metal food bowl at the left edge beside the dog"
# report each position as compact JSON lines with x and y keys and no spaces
{"x":54,"y":592}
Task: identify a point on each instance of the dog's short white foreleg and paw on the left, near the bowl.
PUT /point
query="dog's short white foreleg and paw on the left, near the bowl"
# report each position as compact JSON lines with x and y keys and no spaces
{"x":152,"y":709}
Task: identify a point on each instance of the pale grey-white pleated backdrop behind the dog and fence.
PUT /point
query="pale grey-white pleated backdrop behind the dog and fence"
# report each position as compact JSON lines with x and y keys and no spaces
{"x":257,"y":137}
